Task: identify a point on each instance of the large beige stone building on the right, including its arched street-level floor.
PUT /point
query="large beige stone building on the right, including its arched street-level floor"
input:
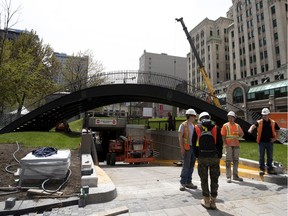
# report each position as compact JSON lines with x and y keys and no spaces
{"x":246,"y":49}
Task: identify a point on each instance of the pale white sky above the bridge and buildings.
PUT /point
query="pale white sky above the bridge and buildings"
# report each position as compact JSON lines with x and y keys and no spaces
{"x":116,"y":31}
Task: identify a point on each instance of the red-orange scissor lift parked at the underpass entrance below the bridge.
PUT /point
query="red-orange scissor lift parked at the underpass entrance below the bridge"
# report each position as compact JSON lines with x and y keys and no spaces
{"x":130,"y":151}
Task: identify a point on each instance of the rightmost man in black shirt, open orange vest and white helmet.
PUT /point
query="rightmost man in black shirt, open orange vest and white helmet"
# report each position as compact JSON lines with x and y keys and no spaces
{"x":267,"y":133}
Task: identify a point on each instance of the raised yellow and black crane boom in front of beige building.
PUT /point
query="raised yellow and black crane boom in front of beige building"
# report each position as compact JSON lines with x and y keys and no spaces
{"x":202,"y":69}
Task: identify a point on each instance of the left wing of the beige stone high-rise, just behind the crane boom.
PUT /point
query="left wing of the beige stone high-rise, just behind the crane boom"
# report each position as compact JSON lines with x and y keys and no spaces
{"x":211,"y":42}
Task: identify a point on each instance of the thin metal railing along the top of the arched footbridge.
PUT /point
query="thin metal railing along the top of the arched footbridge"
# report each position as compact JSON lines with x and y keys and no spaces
{"x":124,"y":77}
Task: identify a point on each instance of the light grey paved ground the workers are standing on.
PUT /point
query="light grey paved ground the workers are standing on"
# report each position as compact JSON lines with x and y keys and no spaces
{"x":154,"y":190}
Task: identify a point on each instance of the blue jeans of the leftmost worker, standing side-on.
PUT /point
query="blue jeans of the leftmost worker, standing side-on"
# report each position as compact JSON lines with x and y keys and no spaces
{"x":188,"y":167}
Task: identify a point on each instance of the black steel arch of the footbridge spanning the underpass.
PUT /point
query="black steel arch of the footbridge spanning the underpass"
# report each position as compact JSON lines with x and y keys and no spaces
{"x":47,"y":116}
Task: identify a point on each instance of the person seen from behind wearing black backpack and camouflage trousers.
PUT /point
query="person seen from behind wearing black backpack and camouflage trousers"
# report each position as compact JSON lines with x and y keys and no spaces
{"x":207,"y":145}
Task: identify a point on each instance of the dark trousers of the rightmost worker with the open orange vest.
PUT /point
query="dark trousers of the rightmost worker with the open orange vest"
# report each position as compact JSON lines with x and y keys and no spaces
{"x":268,"y":146}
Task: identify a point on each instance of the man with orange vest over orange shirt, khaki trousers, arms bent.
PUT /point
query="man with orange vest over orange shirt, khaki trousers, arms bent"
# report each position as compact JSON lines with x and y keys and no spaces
{"x":231,"y":132}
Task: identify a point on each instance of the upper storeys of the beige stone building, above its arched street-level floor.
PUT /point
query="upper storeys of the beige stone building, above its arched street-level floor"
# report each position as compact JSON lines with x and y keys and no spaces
{"x":250,"y":45}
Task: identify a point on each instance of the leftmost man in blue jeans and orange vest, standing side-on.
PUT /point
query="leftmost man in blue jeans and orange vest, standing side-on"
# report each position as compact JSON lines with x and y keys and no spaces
{"x":185,"y":134}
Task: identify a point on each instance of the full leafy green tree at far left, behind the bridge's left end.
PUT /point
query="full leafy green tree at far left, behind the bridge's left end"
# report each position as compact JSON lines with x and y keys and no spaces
{"x":30,"y":68}
